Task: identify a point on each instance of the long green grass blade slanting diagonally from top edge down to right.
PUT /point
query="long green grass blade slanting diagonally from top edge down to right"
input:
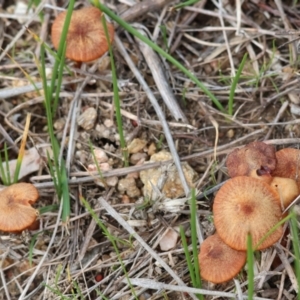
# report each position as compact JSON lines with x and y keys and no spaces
{"x":159,"y":50}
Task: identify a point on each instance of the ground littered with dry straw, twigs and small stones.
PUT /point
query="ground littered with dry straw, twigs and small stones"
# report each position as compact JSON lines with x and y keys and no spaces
{"x":165,"y":114}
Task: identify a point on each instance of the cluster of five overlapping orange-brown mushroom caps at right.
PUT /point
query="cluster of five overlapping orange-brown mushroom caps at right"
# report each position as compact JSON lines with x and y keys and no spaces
{"x":263,"y":184}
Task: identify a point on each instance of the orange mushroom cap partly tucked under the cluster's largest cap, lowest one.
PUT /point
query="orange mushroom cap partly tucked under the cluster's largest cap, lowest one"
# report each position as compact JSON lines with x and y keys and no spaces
{"x":218,"y":262}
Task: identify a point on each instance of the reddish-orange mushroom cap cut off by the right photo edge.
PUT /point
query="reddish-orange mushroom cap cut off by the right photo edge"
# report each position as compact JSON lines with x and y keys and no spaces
{"x":288,"y":164}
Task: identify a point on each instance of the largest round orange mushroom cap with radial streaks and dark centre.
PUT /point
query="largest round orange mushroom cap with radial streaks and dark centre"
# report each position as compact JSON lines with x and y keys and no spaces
{"x":247,"y":205}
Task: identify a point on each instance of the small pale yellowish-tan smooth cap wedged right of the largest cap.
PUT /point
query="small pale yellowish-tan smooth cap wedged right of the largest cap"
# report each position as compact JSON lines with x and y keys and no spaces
{"x":287,"y":190}
